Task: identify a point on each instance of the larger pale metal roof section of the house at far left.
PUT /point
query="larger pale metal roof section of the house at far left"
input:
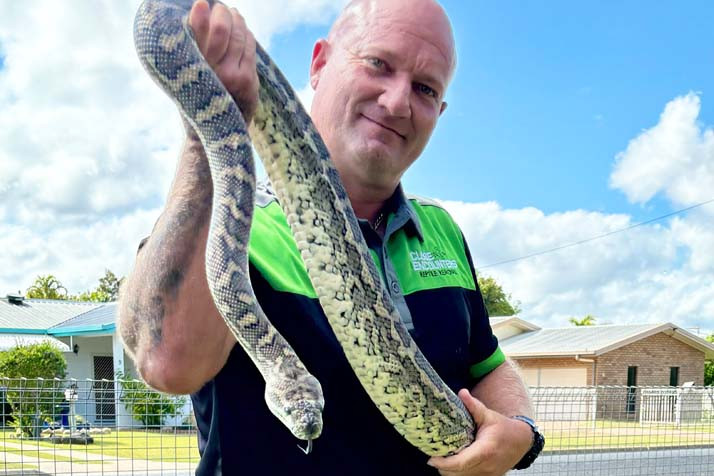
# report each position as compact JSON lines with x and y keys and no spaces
{"x":35,"y":316}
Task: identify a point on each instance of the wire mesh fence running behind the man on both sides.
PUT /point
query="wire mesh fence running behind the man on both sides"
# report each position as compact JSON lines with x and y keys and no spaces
{"x":109,"y":427}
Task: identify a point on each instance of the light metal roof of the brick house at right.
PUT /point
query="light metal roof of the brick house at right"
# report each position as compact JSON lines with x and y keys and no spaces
{"x":594,"y":340}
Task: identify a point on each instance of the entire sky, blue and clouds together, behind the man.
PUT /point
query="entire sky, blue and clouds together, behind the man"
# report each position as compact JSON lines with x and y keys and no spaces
{"x":552,"y":103}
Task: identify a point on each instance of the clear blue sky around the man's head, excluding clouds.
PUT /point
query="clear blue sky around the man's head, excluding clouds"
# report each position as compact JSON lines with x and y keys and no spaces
{"x":544,"y":98}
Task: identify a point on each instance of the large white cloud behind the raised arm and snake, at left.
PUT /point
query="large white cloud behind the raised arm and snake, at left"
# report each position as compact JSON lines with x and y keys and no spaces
{"x":89,"y":143}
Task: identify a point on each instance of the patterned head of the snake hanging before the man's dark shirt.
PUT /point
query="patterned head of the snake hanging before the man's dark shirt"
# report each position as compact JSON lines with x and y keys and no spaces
{"x":297,"y":402}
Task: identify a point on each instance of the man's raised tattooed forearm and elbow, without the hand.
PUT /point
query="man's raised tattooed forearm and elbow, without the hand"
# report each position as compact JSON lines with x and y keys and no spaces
{"x":167,"y":318}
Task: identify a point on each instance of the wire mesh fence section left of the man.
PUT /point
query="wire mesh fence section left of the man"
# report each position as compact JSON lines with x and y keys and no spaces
{"x":102,"y":427}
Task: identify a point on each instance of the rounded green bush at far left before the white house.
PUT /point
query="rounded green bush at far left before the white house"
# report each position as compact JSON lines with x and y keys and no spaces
{"x":38,"y":393}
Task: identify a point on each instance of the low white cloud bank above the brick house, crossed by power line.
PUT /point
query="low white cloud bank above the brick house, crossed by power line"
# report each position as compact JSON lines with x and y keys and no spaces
{"x":647,"y":274}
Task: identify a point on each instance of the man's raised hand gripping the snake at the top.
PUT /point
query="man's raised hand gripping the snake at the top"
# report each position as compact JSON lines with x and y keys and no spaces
{"x":229,"y":48}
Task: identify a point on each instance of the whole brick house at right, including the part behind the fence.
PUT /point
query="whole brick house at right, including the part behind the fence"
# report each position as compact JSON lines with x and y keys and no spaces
{"x":616,"y":358}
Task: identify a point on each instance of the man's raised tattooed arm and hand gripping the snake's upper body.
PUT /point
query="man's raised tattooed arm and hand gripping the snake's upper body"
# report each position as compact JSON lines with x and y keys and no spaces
{"x":167,"y":318}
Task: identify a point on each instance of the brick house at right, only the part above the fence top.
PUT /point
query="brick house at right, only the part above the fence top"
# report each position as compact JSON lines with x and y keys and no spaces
{"x":631,"y":354}
